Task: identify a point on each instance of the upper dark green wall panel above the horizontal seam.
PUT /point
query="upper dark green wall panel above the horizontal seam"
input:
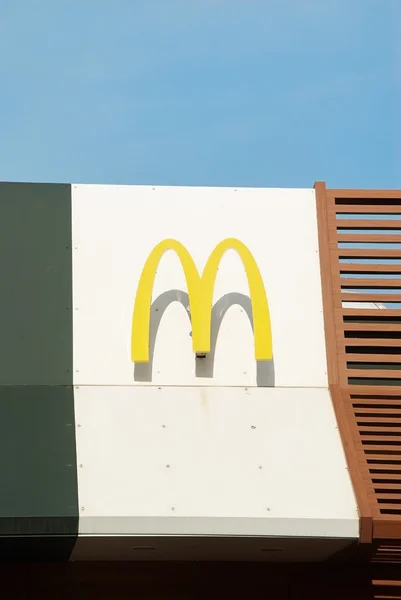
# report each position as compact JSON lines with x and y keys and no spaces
{"x":36,"y":284}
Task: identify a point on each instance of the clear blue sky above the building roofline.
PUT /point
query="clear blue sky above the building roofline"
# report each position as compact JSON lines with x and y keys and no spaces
{"x":201,"y":92}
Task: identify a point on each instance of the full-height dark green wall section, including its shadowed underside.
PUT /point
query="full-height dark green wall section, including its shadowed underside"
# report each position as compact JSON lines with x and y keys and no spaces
{"x":38,"y":475}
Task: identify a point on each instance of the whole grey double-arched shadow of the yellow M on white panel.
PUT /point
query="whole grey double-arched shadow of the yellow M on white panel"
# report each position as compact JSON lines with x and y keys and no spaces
{"x":204,"y":367}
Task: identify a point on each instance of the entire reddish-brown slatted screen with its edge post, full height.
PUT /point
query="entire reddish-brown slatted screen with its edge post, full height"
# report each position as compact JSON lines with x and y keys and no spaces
{"x":360,"y":247}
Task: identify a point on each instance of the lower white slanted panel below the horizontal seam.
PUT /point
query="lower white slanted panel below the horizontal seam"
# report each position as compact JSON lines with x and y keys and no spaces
{"x":211,"y":461}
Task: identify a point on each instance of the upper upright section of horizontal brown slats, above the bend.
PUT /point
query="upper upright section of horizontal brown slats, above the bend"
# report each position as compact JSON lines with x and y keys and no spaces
{"x":370,"y":224}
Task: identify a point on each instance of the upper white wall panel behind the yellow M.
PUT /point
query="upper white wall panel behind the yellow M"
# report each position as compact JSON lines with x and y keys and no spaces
{"x":114,"y":230}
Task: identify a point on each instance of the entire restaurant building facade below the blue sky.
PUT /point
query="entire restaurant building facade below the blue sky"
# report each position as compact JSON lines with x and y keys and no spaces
{"x":201,"y":374}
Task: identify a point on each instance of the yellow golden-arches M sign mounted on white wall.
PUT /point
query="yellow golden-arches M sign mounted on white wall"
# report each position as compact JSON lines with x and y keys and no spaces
{"x":200,"y":292}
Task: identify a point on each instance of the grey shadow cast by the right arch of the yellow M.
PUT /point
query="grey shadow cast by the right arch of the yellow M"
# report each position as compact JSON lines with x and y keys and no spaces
{"x":205,"y":366}
